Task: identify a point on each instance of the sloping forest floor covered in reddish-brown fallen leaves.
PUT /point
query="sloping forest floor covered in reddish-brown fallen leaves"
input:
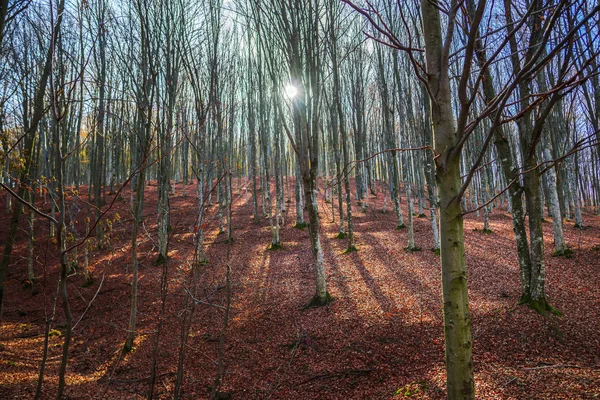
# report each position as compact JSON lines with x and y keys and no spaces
{"x":380,"y":338}
